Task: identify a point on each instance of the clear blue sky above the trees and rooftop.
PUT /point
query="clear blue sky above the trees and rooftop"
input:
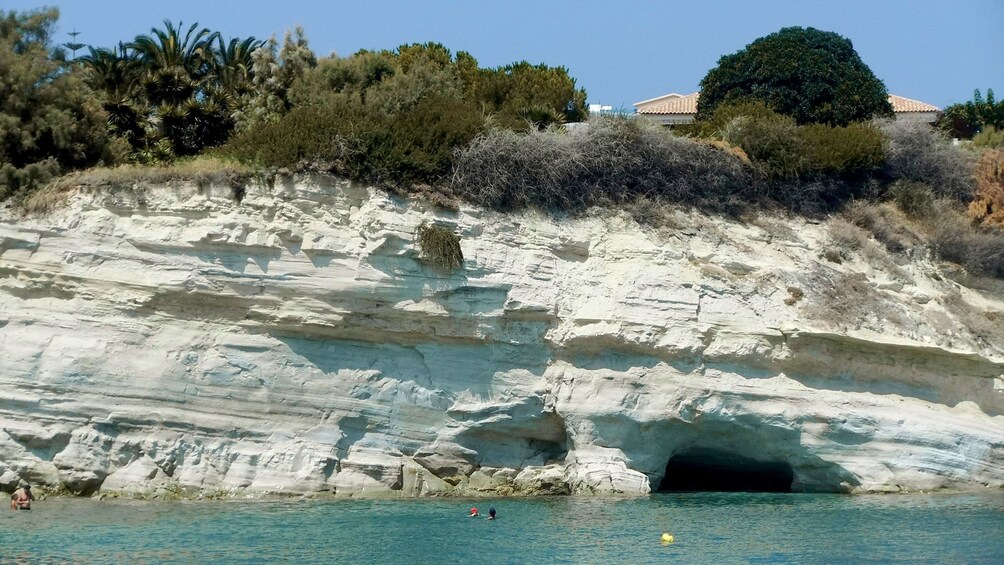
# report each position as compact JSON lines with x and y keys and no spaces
{"x":621,"y":52}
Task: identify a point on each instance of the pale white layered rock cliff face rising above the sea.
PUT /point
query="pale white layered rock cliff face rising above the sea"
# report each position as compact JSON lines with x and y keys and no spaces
{"x":170,"y":339}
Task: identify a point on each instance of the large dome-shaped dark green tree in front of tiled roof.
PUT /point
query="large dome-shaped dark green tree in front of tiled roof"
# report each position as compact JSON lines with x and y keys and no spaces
{"x":813,"y":76}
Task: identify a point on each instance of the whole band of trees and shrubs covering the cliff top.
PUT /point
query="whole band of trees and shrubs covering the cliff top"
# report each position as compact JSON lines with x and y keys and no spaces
{"x":423,"y":120}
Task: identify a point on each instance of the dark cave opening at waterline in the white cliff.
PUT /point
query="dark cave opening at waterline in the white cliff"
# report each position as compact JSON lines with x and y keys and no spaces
{"x":704,"y":470}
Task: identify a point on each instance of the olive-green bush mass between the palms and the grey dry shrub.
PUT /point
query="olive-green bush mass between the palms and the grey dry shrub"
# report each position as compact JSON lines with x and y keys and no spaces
{"x":397,"y":117}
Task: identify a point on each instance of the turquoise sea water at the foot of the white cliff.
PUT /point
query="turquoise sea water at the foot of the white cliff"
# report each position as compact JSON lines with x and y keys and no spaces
{"x":708,"y":527}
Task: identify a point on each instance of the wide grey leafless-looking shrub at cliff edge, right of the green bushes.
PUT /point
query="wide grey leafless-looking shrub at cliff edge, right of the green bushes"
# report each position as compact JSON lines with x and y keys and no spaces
{"x":612,"y":161}
